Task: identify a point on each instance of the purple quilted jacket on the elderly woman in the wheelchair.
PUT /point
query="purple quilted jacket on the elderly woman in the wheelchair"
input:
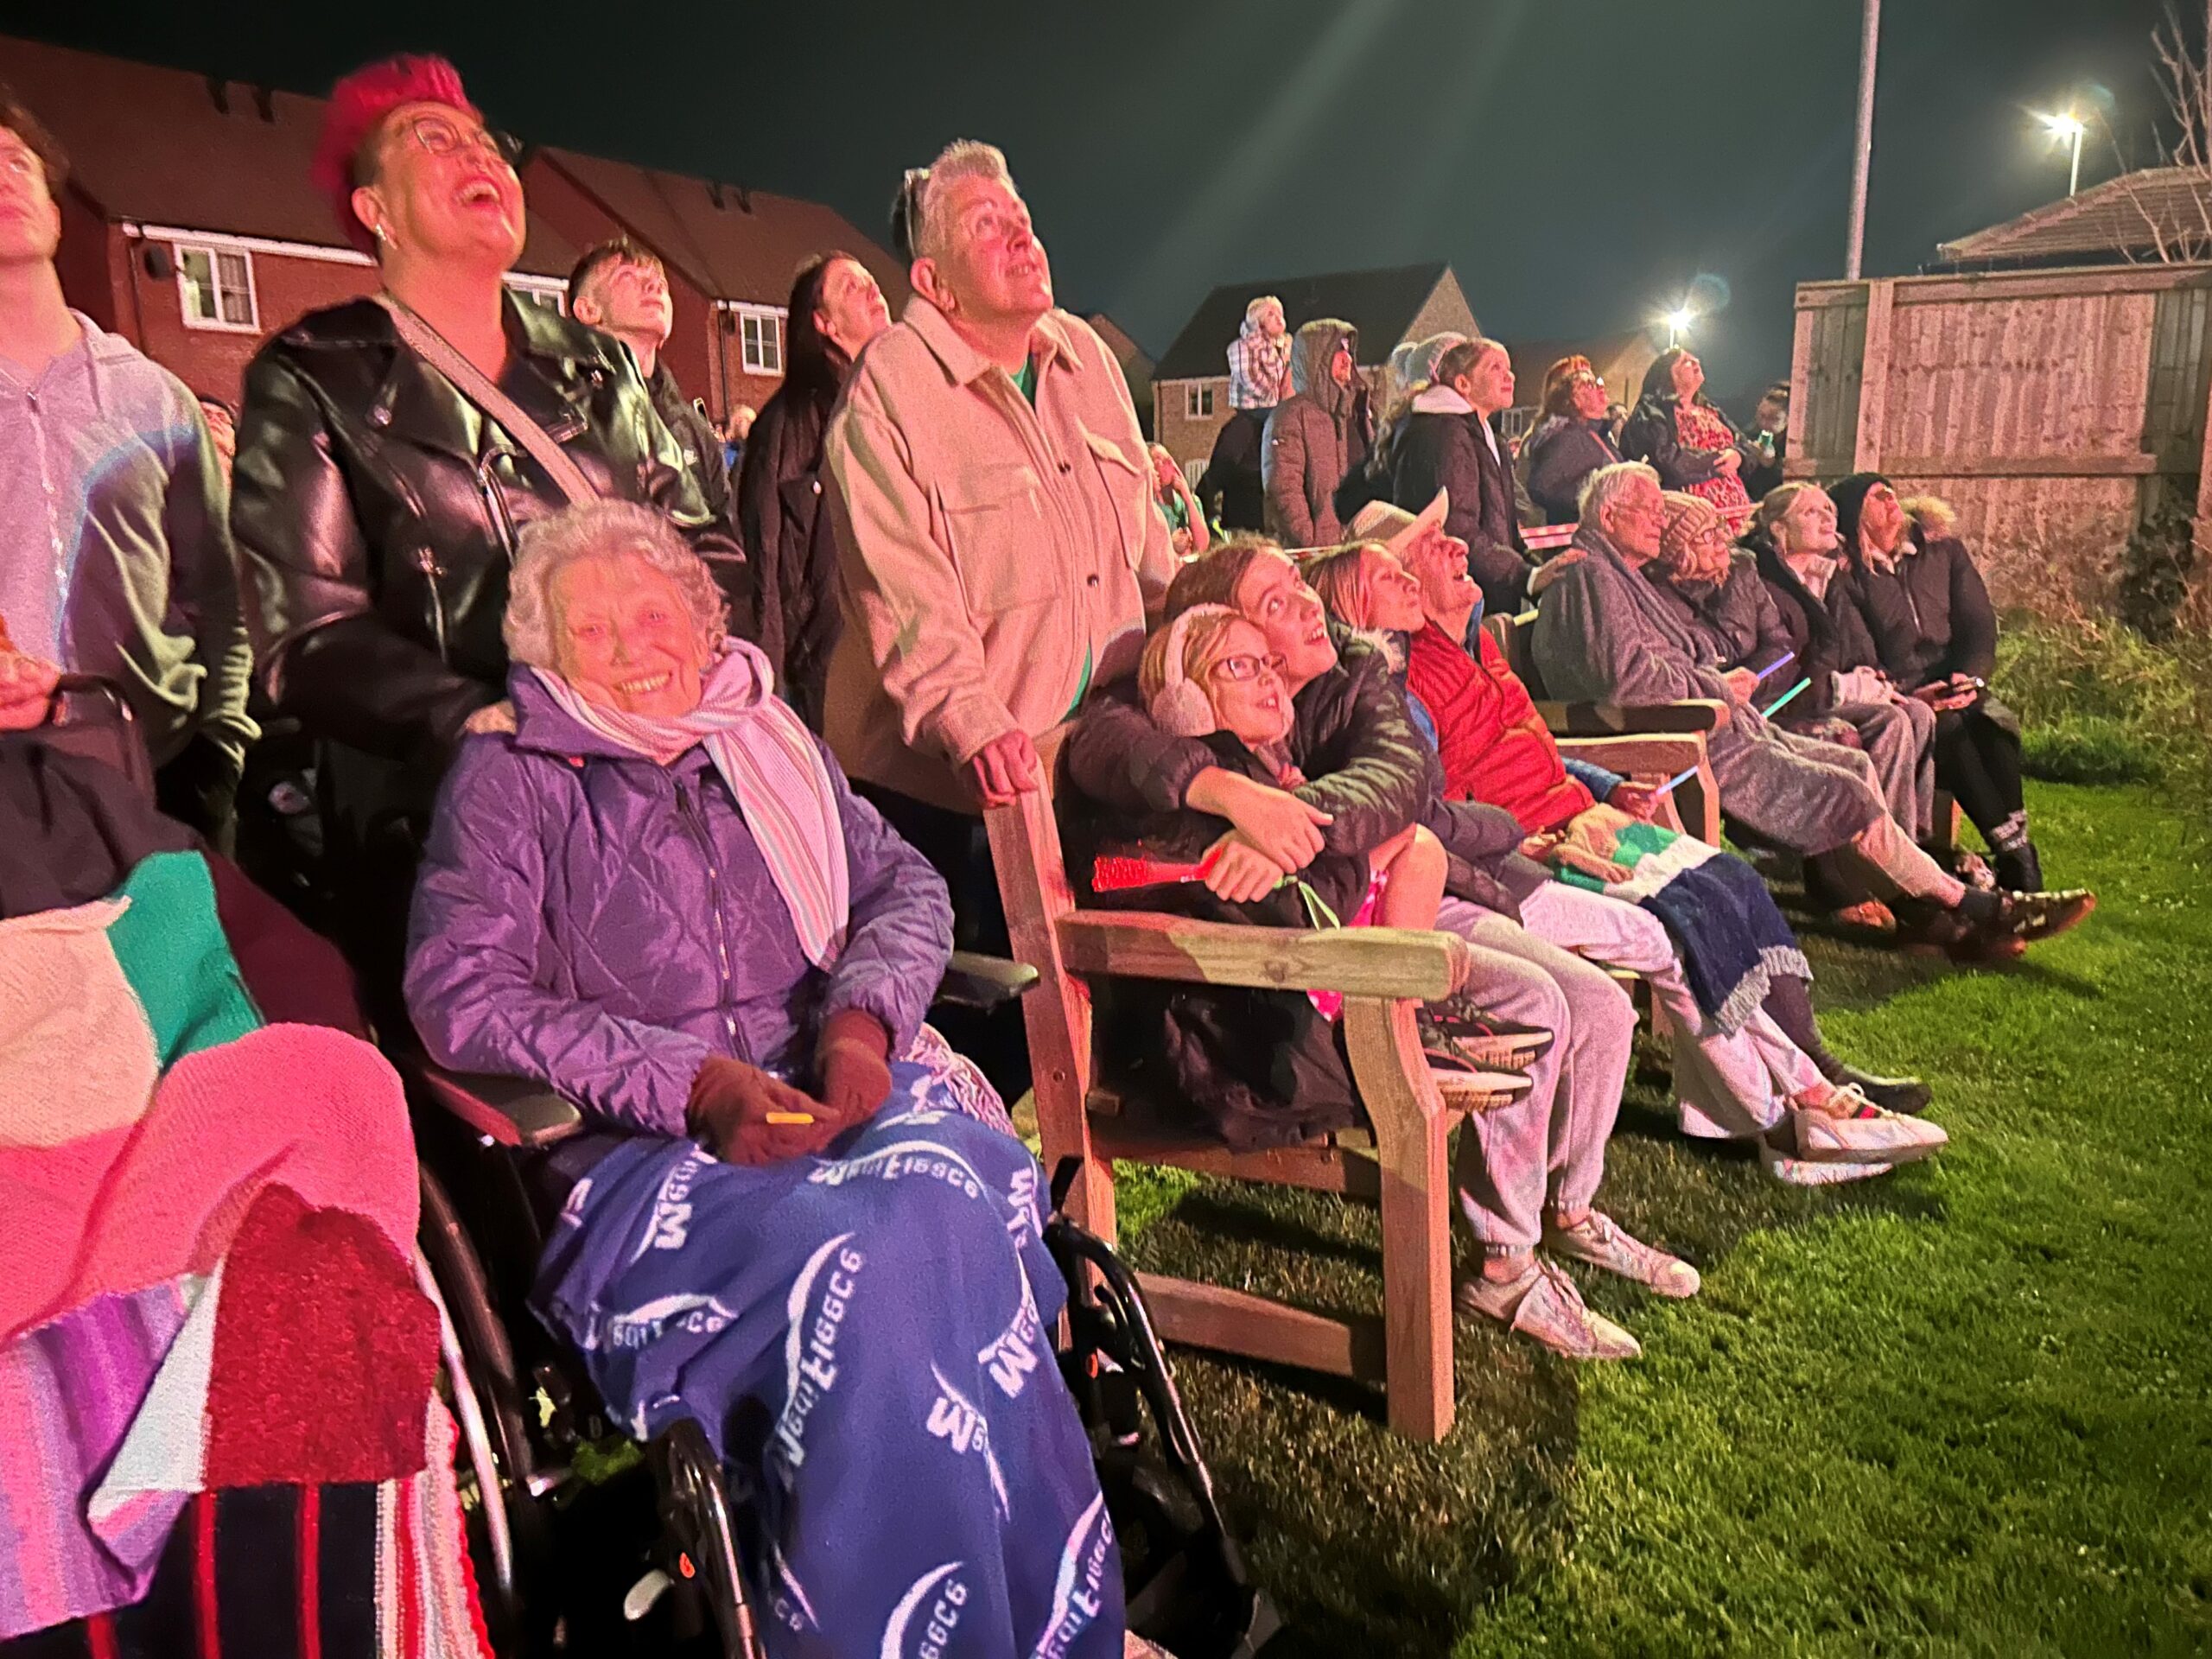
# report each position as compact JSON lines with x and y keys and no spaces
{"x":605,"y":924}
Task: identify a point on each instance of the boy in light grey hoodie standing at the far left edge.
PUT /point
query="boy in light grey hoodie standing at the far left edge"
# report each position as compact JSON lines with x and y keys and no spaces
{"x":114,"y":512}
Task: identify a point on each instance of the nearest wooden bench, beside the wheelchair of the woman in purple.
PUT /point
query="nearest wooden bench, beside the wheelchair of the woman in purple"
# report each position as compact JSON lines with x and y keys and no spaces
{"x":1401,"y":1167}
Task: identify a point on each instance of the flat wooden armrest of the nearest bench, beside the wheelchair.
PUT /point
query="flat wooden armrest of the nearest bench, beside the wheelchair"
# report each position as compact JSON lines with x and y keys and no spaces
{"x":1355,"y":961}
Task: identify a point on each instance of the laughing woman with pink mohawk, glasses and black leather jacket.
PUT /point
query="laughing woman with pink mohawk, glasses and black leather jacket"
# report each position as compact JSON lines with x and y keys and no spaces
{"x":390,"y":452}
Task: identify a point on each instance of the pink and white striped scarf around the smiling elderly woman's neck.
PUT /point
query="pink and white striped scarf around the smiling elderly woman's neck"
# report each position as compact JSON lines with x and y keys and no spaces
{"x":771,"y":764}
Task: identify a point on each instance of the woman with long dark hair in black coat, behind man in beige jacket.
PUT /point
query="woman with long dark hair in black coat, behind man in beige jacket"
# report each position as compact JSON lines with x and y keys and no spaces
{"x":835,"y":311}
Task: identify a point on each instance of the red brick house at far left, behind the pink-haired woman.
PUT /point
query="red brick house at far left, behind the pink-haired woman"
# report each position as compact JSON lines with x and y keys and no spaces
{"x":189,"y":225}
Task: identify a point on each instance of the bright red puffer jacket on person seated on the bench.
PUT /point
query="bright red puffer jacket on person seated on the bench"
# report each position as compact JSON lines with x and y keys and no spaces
{"x":1490,"y":735}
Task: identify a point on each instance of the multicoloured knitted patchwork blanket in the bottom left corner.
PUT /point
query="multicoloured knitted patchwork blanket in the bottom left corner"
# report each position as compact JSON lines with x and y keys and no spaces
{"x":207,"y":1282}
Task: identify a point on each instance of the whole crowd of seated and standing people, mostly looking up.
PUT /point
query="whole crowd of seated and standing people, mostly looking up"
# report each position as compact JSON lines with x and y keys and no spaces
{"x":649,"y":760}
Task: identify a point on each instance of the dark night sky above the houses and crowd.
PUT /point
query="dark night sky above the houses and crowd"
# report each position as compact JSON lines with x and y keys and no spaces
{"x":1580,"y":163}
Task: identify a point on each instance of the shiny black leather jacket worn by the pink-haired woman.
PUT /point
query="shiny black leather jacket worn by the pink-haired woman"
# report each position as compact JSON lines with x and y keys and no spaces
{"x":377,"y":514}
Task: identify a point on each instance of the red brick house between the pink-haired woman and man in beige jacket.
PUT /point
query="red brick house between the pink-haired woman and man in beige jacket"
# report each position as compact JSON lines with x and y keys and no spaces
{"x":731,"y":260}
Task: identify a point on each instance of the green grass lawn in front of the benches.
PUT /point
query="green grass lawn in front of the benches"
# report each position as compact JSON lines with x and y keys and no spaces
{"x":1959,"y":1410}
